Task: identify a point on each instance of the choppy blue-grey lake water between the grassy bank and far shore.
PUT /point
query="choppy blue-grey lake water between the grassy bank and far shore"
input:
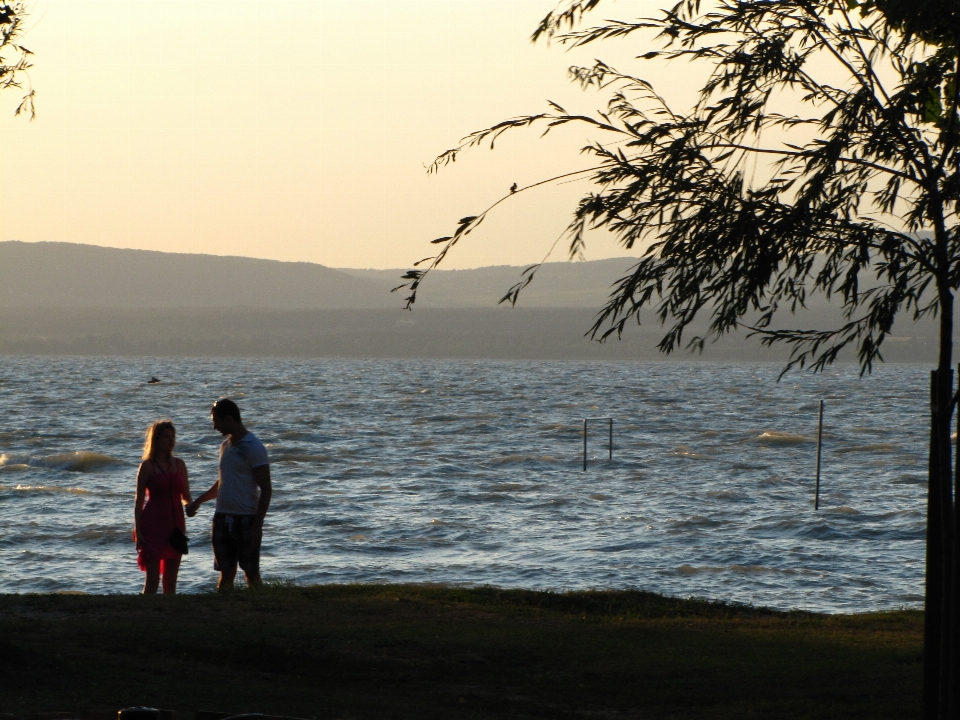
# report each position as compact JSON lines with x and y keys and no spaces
{"x":470,"y":472}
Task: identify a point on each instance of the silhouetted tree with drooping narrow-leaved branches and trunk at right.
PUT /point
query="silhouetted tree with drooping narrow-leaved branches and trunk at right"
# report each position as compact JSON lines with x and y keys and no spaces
{"x":821,"y":157}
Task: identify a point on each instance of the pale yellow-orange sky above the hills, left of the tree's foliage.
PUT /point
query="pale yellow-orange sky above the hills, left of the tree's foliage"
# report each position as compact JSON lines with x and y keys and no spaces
{"x":296,"y":130}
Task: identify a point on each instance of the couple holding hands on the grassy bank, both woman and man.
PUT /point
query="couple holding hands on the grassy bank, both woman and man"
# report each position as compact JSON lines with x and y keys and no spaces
{"x":243,"y":490}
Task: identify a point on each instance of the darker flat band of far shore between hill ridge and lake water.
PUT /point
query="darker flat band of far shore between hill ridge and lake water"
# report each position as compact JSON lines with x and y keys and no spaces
{"x":427,"y":333}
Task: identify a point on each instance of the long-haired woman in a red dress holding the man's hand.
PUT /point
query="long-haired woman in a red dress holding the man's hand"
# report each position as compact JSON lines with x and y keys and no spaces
{"x":162,"y":491}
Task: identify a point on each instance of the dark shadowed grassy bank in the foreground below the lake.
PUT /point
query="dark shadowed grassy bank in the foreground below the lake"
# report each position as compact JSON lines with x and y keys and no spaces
{"x":393,"y":651}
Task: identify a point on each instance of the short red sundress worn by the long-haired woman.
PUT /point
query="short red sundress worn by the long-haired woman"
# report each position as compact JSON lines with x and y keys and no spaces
{"x":162,"y":509}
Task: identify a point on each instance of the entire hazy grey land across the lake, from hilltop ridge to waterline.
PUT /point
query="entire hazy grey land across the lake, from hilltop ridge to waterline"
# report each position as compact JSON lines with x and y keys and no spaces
{"x":62,"y":299}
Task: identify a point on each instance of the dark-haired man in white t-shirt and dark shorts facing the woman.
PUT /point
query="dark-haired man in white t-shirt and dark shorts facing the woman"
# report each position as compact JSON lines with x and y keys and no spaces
{"x":243,"y":492}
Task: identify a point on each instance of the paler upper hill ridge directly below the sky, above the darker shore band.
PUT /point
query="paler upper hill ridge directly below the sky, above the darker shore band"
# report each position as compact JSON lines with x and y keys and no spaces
{"x":35,"y":275}
